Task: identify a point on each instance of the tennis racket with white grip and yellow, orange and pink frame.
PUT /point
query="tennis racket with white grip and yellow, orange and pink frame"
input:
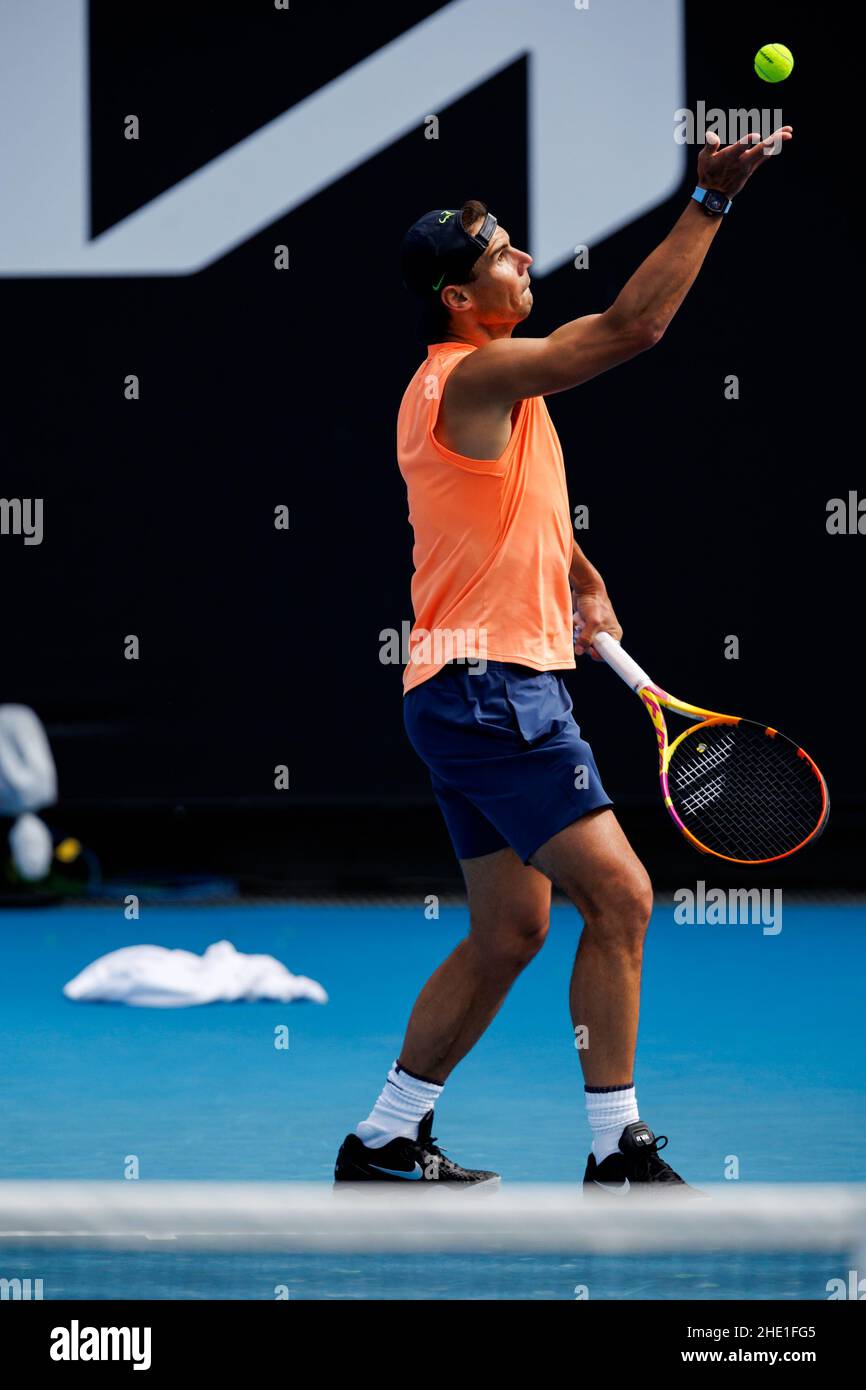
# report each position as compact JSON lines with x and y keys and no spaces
{"x":737,"y":790}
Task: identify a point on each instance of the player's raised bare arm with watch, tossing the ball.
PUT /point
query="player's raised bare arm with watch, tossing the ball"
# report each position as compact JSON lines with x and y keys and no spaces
{"x":505,"y":370}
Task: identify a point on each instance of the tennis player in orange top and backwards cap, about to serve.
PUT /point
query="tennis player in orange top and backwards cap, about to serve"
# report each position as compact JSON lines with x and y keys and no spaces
{"x":504,"y":600}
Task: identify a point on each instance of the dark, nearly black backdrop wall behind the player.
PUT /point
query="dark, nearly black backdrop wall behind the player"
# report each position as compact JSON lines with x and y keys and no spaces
{"x":258,"y":647}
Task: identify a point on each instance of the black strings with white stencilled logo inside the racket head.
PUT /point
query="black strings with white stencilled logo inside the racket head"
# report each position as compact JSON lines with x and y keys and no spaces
{"x":743,"y":793}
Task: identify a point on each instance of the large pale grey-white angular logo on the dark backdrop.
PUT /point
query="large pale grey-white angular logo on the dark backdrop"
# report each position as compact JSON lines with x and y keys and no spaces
{"x":603,"y":88}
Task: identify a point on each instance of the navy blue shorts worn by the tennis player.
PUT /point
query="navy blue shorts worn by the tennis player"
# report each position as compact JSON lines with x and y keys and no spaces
{"x":505,"y":755}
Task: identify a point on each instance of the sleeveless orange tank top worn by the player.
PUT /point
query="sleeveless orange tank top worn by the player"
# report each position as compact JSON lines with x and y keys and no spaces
{"x":493,"y":537}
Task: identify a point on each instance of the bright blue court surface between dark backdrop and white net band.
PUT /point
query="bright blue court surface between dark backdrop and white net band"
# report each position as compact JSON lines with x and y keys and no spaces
{"x":751,"y":1053}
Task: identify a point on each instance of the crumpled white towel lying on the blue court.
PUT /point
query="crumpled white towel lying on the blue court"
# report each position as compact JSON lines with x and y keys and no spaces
{"x":155,"y":978}
